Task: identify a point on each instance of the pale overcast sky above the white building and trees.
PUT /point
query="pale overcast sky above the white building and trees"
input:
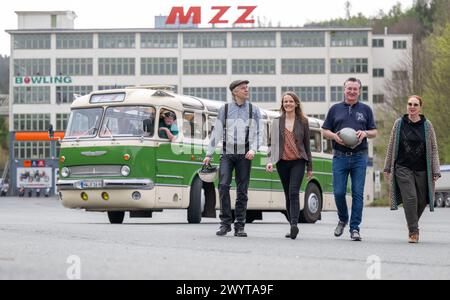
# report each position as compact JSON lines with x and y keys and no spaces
{"x":140,"y":13}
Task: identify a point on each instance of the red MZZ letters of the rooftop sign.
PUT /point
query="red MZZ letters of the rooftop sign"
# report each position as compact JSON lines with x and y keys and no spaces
{"x":196,"y":13}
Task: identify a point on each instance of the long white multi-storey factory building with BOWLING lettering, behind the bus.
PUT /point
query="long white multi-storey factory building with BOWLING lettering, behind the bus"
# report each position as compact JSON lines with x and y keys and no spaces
{"x":51,"y":63}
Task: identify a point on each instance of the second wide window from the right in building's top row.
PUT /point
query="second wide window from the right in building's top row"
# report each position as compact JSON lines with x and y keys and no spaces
{"x":302,"y":39}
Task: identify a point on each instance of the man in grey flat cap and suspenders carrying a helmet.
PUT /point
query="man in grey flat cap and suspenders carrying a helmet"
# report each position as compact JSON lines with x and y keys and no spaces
{"x":237,"y":126}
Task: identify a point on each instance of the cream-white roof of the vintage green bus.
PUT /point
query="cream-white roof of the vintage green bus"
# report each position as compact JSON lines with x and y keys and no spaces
{"x":152,"y":95}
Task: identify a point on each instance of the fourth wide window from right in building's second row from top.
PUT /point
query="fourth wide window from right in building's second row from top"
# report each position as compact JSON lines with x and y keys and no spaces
{"x":205,"y":66}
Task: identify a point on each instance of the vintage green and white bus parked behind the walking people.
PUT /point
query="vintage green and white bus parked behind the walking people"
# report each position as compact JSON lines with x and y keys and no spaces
{"x":113,"y":159}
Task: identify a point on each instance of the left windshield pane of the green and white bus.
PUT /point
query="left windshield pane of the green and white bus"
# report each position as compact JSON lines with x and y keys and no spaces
{"x":84,"y":123}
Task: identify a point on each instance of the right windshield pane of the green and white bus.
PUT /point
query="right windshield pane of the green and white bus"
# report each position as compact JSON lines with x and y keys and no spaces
{"x":128,"y":121}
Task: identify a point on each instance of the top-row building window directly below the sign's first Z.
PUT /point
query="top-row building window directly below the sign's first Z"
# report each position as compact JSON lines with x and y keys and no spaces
{"x":204,"y":40}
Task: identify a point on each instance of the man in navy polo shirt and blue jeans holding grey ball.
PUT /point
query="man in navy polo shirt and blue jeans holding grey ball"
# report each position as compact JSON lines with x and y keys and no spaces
{"x":350,"y":160}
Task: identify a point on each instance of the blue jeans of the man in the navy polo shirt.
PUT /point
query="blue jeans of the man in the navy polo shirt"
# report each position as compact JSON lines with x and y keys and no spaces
{"x":355,"y":166}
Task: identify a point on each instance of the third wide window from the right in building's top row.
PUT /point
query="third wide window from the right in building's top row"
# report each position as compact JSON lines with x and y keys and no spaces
{"x":253,"y":39}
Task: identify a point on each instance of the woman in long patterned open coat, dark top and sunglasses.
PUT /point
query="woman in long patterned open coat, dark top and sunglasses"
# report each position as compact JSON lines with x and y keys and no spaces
{"x":412,"y":165}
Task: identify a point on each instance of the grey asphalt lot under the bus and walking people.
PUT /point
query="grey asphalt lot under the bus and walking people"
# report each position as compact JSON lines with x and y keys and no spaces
{"x":39,"y":239}
